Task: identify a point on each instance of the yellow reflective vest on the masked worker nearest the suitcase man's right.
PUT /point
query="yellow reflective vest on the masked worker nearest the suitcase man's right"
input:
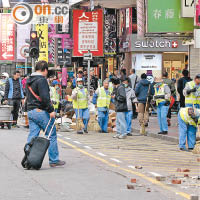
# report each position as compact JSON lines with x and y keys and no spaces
{"x":81,"y":102}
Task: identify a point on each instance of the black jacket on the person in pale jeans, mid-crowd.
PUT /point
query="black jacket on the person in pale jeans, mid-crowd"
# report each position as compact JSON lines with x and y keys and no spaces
{"x":120,"y":99}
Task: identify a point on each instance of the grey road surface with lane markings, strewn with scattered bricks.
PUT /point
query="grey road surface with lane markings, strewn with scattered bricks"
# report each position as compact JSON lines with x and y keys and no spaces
{"x":98,"y":167}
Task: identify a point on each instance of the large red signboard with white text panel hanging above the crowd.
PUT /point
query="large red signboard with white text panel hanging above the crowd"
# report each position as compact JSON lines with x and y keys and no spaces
{"x":88,"y":32}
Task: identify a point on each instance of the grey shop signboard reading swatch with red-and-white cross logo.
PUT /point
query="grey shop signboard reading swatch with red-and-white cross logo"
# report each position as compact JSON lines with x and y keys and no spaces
{"x":157,"y":45}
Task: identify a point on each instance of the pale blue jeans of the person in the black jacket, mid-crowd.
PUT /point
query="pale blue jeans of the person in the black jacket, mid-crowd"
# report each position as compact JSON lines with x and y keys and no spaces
{"x":121,"y":123}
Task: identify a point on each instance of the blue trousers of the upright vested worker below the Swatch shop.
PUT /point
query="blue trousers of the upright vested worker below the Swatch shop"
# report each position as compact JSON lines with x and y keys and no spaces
{"x":162,"y":112}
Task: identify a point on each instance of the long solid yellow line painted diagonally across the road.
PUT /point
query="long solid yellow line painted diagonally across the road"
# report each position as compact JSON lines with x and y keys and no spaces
{"x":185,"y":195}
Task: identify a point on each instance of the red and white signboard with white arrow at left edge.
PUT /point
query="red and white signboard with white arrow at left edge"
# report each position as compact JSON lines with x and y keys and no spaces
{"x":7,"y":37}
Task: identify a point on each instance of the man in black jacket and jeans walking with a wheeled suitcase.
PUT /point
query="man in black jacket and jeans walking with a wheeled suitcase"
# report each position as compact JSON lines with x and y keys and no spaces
{"x":40,"y":110}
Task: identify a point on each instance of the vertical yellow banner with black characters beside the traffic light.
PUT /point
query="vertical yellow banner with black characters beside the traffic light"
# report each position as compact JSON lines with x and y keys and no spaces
{"x":42,"y":32}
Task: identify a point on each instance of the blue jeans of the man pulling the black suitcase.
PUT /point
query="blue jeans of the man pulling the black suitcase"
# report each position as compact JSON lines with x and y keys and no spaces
{"x":38,"y":119}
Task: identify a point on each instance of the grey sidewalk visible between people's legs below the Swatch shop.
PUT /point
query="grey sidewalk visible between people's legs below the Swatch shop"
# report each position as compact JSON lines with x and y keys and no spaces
{"x":153,"y":129}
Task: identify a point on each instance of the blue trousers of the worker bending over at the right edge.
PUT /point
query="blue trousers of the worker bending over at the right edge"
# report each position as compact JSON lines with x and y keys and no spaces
{"x":186,"y":131}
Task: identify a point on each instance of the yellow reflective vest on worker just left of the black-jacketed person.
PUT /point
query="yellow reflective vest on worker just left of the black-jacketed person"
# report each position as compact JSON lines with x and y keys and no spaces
{"x":103,"y":98}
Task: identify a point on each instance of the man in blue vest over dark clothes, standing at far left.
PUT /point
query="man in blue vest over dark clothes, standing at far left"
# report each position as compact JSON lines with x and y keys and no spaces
{"x":14,"y":95}
